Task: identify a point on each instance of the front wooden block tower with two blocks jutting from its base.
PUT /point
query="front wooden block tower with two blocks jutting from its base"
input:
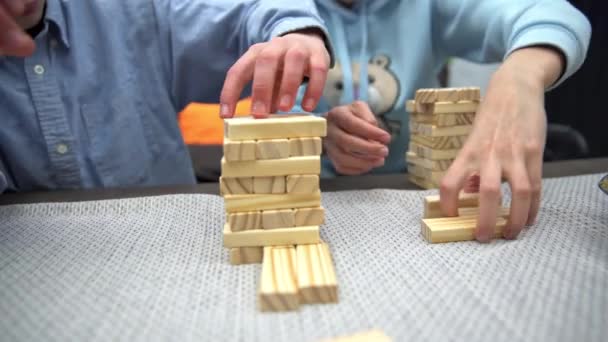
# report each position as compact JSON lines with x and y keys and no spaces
{"x":270,"y":184}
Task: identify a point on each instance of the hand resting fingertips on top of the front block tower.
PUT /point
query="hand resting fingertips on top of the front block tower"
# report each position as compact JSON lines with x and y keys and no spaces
{"x":277,"y":69}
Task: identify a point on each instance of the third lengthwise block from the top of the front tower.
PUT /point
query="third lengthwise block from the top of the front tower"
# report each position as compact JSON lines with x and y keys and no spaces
{"x":236,"y":203}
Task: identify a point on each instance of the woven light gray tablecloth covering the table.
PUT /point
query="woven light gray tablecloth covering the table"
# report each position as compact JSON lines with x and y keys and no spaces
{"x":154,"y":269}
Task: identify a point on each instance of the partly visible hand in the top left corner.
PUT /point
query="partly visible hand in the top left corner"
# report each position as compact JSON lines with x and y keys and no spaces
{"x":13,"y":40}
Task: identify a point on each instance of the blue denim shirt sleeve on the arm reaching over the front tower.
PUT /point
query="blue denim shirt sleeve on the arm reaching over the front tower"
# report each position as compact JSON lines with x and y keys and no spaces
{"x":204,"y":38}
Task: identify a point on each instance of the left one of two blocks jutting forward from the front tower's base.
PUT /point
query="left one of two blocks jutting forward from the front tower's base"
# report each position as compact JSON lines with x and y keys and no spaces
{"x":278,"y":283}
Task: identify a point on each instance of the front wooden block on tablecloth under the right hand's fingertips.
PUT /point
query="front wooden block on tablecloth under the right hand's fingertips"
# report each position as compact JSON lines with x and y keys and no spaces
{"x":452,"y":229}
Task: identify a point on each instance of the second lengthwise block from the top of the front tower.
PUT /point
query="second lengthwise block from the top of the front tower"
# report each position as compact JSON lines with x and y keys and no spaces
{"x":272,"y":167}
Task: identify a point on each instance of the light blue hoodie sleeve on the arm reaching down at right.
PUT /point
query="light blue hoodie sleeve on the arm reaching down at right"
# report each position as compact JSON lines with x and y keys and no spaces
{"x":490,"y":30}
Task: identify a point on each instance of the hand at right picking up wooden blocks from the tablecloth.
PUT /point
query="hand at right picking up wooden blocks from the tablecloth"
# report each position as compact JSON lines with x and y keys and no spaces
{"x":507,"y":141}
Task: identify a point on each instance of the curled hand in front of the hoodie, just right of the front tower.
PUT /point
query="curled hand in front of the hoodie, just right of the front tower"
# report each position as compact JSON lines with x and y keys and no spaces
{"x":354,"y":143}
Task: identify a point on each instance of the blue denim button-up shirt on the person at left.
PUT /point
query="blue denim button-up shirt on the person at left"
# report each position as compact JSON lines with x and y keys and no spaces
{"x":97,"y":103}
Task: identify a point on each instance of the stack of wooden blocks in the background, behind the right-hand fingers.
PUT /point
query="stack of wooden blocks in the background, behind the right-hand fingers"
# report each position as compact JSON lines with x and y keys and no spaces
{"x":440,"y":122}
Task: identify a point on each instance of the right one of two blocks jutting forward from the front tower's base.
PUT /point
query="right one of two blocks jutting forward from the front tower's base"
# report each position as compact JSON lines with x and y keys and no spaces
{"x":316,"y":276}
